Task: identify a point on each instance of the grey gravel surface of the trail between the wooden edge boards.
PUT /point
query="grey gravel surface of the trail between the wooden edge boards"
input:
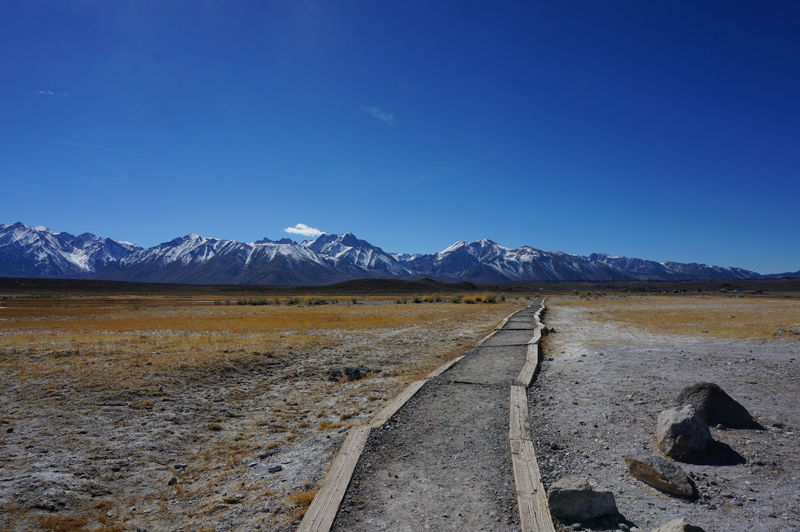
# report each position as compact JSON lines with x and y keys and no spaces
{"x":443,"y":462}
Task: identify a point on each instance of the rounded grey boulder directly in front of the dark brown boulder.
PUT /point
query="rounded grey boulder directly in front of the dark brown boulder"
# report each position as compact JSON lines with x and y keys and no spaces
{"x":682,"y":434}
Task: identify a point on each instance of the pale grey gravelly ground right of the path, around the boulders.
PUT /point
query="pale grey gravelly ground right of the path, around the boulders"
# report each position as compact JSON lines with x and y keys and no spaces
{"x":599,"y":397}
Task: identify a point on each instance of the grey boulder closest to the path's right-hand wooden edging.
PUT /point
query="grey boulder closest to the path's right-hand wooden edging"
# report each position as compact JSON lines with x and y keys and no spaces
{"x":580,"y":499}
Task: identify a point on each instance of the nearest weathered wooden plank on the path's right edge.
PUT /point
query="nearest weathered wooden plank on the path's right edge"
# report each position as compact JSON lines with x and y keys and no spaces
{"x":531,"y":497}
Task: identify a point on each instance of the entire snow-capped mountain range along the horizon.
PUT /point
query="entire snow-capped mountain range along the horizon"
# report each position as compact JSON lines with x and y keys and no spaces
{"x":193,"y":259}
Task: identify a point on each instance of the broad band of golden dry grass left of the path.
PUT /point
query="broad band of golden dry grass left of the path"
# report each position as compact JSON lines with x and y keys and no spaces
{"x":120,"y":342}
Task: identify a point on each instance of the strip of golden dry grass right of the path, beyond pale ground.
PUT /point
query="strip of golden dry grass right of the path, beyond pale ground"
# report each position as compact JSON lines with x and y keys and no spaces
{"x":721,"y":317}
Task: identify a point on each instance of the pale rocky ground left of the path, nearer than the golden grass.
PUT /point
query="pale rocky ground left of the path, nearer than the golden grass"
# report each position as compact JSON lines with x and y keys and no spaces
{"x":201,"y":451}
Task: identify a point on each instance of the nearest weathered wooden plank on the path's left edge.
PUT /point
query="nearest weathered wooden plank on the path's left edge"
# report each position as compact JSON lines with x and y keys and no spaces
{"x":320,"y":515}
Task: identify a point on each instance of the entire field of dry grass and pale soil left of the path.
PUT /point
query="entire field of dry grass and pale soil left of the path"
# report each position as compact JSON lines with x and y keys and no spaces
{"x":165,"y":413}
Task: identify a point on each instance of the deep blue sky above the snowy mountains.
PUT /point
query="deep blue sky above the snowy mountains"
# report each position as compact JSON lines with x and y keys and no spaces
{"x":659,"y":130}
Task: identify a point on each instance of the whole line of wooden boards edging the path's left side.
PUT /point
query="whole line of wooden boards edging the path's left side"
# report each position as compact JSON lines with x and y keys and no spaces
{"x":320,"y":515}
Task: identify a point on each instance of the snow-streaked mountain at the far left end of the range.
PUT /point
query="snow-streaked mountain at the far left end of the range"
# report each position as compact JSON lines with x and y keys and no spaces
{"x":39,"y":252}
